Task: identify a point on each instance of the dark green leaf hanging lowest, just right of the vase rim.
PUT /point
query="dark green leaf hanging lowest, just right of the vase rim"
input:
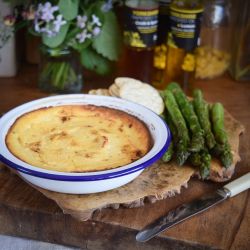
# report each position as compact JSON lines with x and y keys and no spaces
{"x":95,"y":62}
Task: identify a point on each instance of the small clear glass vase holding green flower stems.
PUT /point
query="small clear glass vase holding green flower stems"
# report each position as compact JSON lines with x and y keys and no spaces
{"x":59,"y":71}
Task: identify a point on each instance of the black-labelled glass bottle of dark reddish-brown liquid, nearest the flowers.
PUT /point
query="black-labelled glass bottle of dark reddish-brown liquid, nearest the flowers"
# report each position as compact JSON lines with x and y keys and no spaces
{"x":140,"y":19}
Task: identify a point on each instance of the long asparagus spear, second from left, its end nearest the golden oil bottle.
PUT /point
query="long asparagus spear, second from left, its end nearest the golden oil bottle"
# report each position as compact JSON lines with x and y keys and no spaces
{"x":197,"y":139}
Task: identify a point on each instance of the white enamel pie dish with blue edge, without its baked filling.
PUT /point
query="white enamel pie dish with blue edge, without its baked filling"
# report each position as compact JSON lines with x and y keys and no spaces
{"x":92,"y":182}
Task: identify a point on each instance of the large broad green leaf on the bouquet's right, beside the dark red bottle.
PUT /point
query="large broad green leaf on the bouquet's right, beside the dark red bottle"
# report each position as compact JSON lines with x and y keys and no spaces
{"x":108,"y":43}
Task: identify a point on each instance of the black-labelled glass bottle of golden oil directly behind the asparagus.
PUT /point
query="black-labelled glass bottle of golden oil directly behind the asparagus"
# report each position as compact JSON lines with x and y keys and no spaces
{"x":185,"y":19}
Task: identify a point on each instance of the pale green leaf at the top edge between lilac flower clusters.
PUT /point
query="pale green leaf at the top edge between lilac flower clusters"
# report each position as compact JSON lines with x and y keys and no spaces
{"x":68,"y":8}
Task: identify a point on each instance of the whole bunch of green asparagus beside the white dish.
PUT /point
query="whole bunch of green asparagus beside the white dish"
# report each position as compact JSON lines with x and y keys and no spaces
{"x":197,"y":129}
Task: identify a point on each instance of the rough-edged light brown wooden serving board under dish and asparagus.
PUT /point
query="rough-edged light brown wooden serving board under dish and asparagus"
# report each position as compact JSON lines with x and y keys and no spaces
{"x":159,"y":181}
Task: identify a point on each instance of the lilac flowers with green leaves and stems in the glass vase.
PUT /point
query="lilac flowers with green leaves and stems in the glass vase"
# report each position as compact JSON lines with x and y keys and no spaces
{"x":86,"y":27}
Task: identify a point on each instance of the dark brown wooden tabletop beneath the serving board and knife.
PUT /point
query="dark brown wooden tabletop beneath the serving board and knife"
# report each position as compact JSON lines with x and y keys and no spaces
{"x":27,"y":213}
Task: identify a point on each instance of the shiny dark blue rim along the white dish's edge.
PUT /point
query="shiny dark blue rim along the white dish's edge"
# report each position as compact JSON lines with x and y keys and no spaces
{"x":94,"y":177}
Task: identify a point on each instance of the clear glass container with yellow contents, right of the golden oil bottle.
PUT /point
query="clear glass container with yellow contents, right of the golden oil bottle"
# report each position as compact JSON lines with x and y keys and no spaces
{"x":213,"y":54}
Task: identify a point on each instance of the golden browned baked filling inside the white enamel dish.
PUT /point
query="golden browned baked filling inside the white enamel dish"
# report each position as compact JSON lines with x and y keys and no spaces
{"x":78,"y":138}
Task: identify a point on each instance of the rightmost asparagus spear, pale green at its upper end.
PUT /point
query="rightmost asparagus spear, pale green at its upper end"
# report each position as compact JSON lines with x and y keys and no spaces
{"x":222,"y":147}
